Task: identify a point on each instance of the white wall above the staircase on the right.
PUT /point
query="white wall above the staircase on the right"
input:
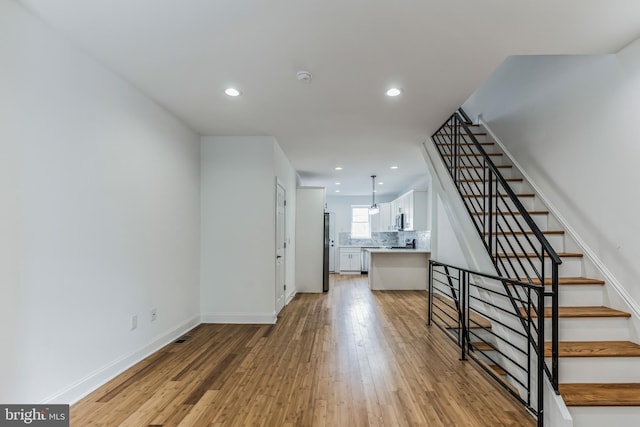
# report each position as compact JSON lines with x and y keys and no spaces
{"x":570,"y":121}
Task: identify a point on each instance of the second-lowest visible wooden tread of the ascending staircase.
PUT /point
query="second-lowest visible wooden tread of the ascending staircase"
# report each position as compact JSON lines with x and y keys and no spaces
{"x":594,"y":349}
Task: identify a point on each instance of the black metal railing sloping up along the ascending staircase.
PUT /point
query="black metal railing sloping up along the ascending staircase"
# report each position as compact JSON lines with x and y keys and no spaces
{"x":518,"y":248}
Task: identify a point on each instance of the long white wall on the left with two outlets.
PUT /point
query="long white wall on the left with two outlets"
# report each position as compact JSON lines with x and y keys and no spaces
{"x":100,"y":218}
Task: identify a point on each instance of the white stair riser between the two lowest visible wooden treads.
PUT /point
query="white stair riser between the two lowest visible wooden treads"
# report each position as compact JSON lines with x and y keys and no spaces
{"x":599,"y":369}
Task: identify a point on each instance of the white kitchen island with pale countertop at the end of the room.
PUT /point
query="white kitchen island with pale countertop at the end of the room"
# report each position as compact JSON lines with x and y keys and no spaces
{"x":398,"y":269}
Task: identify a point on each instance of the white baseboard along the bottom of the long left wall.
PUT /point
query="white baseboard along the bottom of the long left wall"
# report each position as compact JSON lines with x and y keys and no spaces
{"x":76,"y":391}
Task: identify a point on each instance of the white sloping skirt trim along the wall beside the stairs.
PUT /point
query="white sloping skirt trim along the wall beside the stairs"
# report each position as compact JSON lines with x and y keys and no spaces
{"x":607,"y":276}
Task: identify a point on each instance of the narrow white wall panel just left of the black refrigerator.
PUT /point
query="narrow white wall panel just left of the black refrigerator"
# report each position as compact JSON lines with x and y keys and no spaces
{"x":309,"y":238}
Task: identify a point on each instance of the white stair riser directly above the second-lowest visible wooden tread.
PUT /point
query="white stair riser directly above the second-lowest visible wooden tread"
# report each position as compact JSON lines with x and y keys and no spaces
{"x":590,"y":329}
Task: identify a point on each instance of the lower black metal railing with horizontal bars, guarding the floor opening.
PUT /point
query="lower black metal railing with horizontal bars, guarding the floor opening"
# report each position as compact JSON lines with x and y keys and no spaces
{"x":457,"y":306}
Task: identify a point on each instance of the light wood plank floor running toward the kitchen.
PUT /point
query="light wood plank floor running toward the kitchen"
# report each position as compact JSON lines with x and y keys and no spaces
{"x":351,"y":357}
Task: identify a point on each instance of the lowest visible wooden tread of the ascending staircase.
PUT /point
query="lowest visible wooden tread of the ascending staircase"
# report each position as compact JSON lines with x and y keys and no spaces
{"x":601,"y":394}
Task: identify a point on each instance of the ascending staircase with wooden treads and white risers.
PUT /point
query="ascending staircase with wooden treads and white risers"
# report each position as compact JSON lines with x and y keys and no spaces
{"x":598,"y":367}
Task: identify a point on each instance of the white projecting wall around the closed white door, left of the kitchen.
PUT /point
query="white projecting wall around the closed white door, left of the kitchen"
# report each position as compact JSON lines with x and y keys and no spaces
{"x":238,"y":187}
